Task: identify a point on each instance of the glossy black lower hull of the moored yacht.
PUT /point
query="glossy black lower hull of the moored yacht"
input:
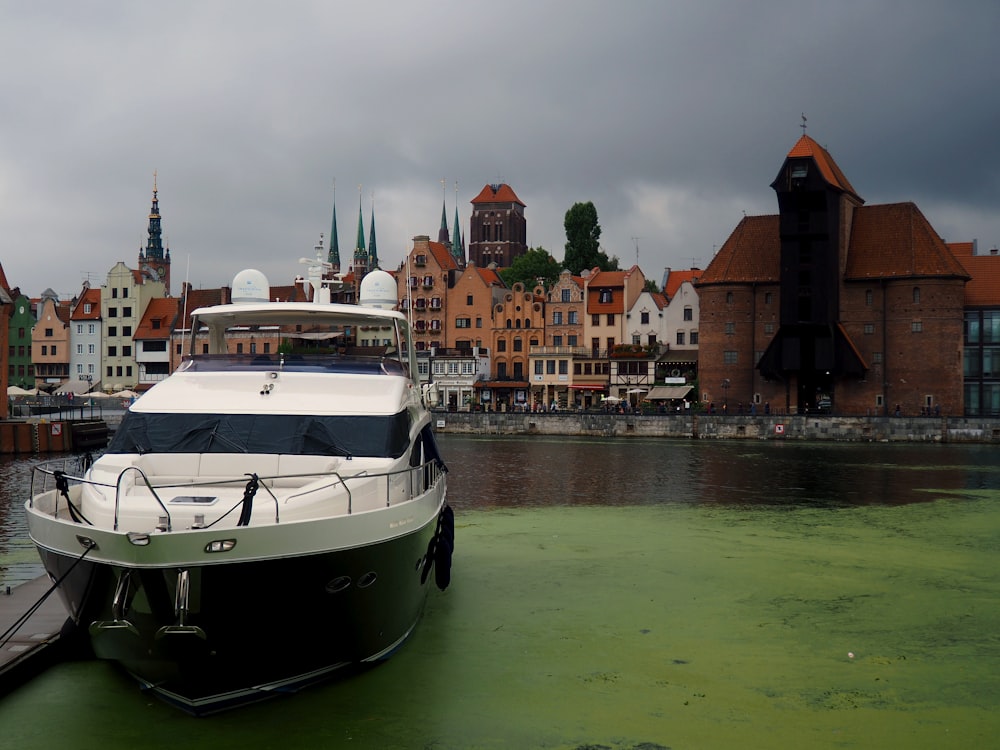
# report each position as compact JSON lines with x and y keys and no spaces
{"x":246,"y":630}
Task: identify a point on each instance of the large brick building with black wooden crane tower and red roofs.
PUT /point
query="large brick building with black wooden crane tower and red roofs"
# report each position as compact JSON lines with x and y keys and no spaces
{"x":832,"y":304}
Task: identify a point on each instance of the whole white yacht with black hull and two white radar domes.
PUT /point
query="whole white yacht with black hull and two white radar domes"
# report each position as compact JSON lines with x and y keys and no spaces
{"x":260,"y":519}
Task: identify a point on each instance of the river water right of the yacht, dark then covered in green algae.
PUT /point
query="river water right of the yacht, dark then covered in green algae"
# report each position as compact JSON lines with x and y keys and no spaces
{"x":696,"y":596}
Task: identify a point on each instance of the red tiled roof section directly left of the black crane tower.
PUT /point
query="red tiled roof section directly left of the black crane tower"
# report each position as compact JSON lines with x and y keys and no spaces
{"x":751,"y":254}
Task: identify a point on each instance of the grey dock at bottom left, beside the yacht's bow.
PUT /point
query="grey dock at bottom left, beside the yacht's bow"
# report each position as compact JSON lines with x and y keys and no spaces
{"x":40,"y":641}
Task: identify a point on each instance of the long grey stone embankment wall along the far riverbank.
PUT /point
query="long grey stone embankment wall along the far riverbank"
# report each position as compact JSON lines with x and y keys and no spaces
{"x":729,"y":427}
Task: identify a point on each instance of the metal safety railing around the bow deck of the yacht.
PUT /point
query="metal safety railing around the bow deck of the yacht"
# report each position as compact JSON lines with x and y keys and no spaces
{"x":417,"y":480}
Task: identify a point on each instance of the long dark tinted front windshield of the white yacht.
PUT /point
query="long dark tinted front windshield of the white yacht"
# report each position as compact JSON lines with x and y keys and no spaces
{"x":386,"y":436}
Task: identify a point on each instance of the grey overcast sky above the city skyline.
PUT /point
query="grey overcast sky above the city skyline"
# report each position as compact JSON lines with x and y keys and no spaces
{"x":672,"y":117}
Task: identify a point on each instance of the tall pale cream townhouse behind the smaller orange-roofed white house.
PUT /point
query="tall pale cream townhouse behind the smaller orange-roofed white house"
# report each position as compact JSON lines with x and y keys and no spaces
{"x":124,"y":297}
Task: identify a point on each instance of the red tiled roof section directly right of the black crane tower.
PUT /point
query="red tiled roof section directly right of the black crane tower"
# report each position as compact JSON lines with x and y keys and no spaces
{"x":895,"y":240}
